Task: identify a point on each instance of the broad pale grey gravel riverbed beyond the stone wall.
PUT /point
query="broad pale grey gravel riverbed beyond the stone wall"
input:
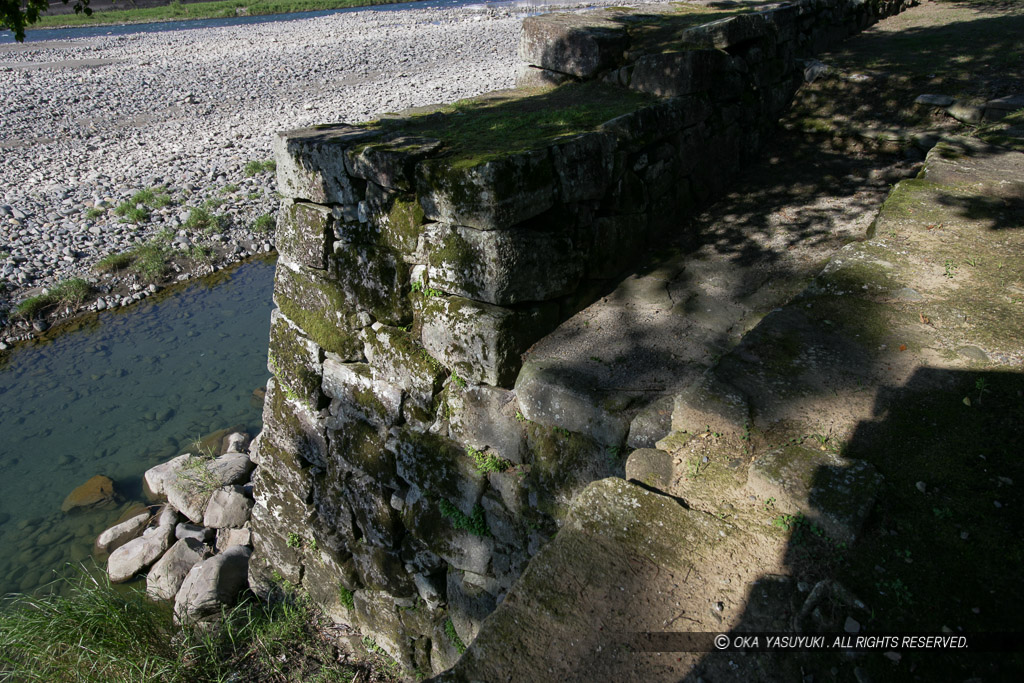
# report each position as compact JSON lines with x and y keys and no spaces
{"x":90,"y":123}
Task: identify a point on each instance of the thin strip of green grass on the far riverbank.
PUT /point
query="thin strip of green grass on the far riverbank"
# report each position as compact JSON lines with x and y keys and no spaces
{"x":200,"y":11}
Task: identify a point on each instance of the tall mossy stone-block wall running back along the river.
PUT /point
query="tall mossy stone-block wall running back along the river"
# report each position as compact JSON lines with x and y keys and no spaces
{"x":400,"y":482}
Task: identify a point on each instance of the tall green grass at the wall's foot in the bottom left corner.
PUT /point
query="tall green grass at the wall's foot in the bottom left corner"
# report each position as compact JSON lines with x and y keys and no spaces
{"x":88,"y":630}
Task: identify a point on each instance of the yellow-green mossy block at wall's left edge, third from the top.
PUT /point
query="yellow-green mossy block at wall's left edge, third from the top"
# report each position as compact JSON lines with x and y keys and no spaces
{"x":321,"y":309}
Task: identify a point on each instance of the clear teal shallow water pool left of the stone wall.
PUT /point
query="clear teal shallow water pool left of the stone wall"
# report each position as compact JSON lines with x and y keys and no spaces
{"x":116,"y":398}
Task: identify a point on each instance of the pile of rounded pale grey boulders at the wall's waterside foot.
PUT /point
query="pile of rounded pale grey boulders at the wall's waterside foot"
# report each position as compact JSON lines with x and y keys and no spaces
{"x":197,"y":546}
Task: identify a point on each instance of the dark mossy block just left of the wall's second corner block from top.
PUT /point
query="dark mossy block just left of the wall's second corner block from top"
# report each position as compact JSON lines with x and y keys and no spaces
{"x":372,"y":280}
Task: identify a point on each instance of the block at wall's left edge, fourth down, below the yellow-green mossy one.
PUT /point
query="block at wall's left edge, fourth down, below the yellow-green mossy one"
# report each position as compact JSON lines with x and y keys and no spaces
{"x":295,"y":361}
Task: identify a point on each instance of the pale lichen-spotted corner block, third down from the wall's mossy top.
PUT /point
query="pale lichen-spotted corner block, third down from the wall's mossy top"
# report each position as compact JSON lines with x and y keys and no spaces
{"x":481,"y":341}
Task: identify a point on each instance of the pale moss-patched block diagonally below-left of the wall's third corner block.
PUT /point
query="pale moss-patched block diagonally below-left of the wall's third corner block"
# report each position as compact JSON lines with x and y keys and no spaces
{"x":397,"y":360}
